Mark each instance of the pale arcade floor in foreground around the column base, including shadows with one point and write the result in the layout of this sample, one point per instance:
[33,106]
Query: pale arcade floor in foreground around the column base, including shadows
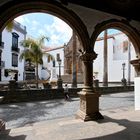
[119,124]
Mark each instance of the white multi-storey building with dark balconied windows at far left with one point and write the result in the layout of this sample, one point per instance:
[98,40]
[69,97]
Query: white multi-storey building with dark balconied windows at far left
[11,66]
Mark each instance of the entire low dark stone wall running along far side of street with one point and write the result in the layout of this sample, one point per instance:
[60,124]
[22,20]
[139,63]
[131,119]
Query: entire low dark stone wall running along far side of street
[20,95]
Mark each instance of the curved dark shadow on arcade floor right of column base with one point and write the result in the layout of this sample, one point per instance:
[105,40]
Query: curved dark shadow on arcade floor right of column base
[131,131]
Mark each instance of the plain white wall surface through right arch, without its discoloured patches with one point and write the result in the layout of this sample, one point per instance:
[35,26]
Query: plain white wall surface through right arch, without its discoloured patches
[115,71]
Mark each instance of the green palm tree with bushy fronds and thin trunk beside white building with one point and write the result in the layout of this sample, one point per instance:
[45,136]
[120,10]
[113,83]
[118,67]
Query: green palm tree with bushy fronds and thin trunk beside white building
[34,52]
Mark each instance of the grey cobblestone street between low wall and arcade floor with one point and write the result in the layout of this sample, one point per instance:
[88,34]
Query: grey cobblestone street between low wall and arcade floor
[23,114]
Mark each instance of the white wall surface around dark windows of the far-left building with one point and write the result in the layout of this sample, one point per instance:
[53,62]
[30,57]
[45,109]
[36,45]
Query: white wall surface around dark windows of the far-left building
[7,54]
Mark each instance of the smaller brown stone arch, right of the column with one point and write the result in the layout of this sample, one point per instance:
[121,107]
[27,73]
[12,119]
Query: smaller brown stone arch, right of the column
[122,25]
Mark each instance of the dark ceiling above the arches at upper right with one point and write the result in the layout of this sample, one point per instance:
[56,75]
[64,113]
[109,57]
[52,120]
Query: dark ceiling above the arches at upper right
[125,8]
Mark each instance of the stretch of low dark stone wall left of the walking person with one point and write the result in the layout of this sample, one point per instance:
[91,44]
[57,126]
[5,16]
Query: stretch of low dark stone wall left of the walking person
[31,95]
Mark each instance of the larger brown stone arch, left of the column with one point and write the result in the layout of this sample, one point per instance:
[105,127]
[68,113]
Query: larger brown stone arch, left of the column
[11,10]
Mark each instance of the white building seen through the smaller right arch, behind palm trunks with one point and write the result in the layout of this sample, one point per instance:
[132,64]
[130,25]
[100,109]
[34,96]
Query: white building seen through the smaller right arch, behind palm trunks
[120,50]
